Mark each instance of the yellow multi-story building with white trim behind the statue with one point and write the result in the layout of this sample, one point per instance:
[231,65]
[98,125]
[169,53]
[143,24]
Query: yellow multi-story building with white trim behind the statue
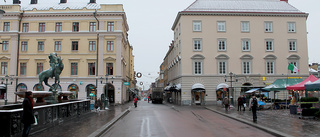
[91,39]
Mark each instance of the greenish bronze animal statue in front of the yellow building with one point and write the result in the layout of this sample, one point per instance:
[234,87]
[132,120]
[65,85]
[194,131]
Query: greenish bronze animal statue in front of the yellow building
[56,66]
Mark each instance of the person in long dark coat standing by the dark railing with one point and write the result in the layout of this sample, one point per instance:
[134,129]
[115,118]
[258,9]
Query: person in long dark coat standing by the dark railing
[27,114]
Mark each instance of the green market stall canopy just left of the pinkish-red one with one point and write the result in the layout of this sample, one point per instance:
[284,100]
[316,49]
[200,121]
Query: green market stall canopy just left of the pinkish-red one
[281,84]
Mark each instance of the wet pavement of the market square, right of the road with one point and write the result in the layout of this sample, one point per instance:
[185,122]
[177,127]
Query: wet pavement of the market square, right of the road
[280,120]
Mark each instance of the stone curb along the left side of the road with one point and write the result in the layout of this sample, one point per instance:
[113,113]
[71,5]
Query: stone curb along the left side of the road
[105,127]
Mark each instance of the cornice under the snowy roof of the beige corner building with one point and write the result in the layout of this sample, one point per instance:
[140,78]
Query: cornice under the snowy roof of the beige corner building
[222,13]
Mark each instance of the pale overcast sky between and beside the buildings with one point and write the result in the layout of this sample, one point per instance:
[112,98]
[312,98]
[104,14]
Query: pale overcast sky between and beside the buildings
[150,33]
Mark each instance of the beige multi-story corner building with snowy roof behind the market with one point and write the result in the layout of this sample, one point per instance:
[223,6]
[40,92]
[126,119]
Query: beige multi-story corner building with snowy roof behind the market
[248,42]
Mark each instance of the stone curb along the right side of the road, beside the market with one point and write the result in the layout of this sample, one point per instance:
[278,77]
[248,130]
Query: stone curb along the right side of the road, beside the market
[263,128]
